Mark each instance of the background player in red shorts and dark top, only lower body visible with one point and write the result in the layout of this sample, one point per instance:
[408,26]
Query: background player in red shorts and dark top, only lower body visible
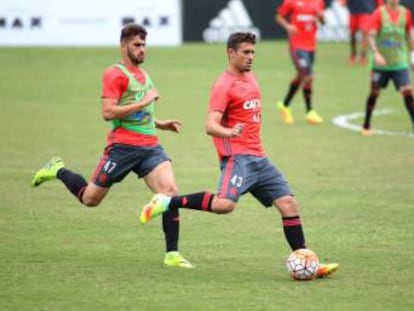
[359,22]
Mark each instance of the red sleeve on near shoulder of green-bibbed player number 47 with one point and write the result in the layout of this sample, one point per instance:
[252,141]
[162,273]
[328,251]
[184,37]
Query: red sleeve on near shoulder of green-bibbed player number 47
[114,83]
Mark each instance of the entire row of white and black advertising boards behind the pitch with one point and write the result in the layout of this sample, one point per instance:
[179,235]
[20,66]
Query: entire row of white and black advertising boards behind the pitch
[170,22]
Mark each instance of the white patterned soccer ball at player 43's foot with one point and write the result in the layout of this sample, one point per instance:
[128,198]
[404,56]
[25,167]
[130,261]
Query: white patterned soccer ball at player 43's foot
[303,264]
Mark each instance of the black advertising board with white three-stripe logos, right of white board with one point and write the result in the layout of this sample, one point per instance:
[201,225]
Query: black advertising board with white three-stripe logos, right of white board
[212,21]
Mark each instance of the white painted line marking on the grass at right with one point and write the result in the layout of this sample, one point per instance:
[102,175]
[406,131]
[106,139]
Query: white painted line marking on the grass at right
[343,121]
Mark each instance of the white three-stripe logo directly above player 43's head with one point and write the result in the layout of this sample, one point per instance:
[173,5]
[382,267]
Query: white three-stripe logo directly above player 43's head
[234,17]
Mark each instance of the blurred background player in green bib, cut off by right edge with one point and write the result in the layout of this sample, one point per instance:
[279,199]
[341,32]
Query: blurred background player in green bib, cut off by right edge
[391,41]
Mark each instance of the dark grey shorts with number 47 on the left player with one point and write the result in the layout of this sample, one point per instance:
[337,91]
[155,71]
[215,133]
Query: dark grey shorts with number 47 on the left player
[119,160]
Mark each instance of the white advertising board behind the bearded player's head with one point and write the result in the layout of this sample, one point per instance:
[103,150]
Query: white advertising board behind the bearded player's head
[87,22]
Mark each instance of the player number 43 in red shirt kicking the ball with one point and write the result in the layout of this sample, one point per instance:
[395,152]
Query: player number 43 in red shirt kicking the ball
[234,122]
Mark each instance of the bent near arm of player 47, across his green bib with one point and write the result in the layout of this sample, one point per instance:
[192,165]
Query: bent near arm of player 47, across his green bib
[111,110]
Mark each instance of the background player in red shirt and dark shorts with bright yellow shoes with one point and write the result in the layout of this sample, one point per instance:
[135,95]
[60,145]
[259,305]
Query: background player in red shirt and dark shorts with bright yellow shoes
[299,18]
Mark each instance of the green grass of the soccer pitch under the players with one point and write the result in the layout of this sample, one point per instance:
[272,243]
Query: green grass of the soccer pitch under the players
[356,193]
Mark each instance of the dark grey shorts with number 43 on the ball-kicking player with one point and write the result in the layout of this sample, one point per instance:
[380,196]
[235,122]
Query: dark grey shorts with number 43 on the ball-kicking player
[244,173]
